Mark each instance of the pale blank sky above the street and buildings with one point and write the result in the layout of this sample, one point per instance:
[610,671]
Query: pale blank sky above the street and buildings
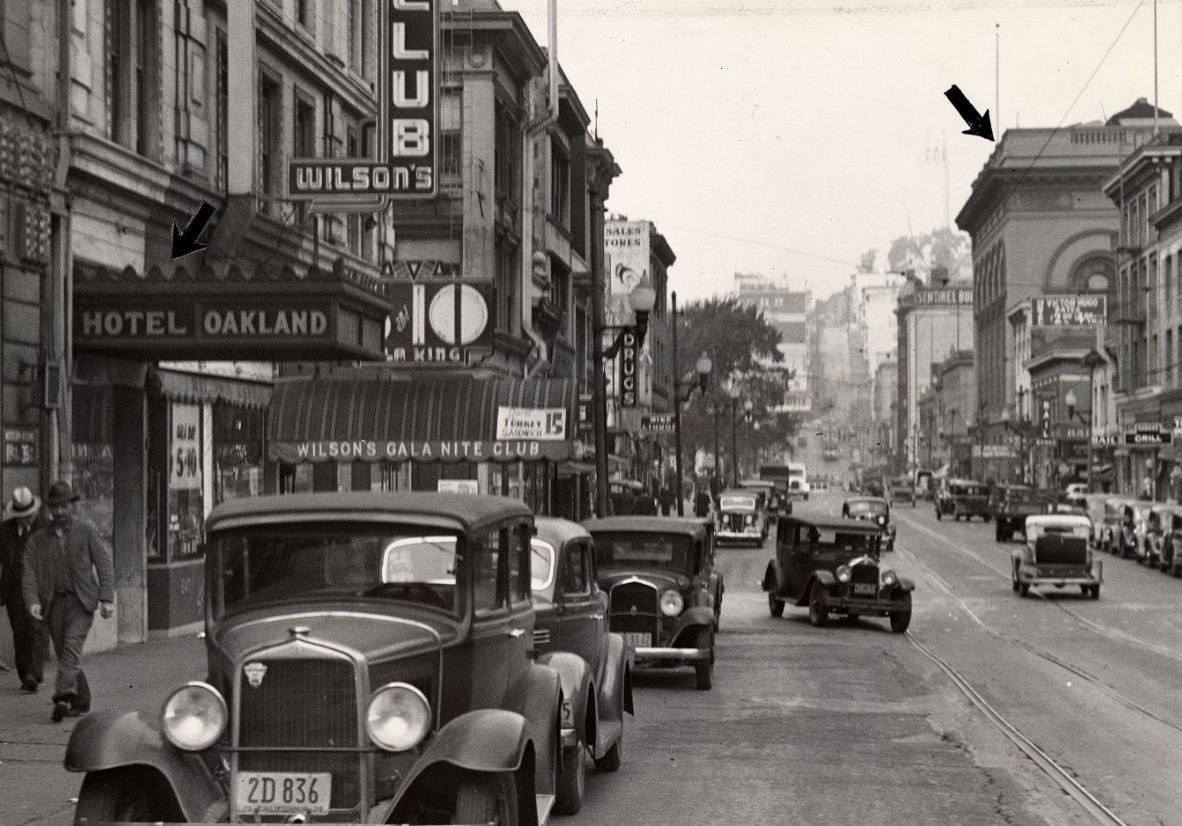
[787,138]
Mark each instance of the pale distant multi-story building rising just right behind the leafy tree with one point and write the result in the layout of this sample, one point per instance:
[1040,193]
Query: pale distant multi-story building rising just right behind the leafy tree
[787,310]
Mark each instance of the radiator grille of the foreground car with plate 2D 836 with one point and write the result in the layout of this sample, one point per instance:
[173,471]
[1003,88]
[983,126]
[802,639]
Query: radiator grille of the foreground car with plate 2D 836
[303,707]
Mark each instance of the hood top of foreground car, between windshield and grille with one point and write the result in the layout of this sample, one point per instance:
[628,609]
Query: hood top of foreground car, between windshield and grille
[373,635]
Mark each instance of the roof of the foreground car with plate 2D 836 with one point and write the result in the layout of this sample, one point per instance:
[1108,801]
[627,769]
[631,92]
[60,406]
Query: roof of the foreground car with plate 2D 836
[465,512]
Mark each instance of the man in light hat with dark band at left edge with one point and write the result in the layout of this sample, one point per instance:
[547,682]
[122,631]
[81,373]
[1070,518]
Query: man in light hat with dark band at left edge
[28,636]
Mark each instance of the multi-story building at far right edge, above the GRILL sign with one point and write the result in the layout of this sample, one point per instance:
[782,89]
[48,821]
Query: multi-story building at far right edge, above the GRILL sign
[1147,190]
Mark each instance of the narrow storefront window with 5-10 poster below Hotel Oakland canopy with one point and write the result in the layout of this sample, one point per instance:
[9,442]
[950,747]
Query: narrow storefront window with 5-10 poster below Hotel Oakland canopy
[186,504]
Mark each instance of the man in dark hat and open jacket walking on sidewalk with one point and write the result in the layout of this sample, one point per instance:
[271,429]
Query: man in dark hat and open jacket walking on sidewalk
[62,589]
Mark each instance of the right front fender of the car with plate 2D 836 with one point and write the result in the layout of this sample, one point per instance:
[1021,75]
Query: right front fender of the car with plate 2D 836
[486,742]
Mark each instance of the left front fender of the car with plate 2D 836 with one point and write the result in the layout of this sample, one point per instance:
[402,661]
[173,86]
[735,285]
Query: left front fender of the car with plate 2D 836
[107,740]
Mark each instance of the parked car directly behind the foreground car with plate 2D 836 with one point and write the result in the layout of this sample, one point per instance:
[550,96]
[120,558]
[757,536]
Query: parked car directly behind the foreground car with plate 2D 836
[571,616]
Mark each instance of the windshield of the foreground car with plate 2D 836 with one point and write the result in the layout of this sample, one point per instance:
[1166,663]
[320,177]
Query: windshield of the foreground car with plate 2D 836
[284,564]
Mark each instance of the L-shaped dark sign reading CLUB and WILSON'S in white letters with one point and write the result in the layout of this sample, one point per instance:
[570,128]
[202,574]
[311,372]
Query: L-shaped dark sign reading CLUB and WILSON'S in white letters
[408,87]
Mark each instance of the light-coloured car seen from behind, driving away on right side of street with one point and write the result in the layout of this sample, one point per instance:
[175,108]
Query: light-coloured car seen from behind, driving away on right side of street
[1057,554]
